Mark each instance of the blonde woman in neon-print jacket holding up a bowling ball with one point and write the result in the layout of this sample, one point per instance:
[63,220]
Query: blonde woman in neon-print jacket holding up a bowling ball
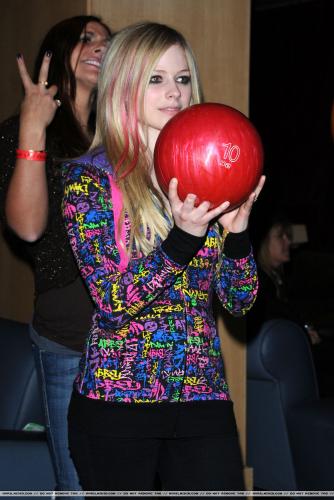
[150,402]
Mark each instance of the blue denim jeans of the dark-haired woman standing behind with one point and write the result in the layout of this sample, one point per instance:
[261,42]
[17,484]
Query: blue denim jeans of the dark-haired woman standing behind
[57,372]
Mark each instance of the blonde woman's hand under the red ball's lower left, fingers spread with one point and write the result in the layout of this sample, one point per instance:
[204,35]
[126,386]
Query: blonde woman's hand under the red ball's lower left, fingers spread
[191,219]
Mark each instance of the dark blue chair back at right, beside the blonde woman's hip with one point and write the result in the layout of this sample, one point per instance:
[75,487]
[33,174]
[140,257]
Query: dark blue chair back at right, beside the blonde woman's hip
[280,374]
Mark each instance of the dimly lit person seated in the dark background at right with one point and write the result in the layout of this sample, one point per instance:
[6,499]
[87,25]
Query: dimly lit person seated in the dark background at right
[274,239]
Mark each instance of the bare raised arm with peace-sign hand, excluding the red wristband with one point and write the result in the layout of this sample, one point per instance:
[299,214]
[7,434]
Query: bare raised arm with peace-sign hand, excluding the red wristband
[27,197]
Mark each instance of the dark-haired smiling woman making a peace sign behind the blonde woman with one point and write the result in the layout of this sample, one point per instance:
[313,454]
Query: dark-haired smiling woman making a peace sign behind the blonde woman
[56,122]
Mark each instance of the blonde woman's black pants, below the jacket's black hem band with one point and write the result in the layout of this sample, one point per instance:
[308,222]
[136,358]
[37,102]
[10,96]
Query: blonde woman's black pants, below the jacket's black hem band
[177,464]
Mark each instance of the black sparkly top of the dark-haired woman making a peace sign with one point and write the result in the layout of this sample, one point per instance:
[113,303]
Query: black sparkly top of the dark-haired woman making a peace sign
[63,308]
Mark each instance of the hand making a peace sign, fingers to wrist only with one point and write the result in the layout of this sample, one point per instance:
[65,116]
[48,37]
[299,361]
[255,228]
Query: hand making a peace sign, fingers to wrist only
[39,106]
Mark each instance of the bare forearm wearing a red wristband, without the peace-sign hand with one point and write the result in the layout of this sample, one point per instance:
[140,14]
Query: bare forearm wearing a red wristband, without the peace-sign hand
[27,196]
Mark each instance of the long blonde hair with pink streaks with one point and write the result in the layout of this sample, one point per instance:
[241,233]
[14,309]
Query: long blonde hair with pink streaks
[125,75]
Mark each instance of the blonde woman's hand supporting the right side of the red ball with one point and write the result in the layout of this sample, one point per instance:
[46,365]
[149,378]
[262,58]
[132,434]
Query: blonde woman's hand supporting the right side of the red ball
[236,221]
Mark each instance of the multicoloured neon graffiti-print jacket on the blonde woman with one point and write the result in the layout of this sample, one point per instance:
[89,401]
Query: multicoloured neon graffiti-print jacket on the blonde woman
[153,335]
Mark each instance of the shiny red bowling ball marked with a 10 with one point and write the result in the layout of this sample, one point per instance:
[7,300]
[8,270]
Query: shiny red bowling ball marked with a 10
[213,150]
